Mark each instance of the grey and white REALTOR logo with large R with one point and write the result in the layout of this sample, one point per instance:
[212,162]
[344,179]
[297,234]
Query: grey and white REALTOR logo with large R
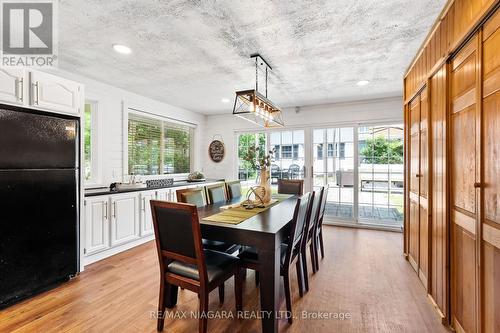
[28,33]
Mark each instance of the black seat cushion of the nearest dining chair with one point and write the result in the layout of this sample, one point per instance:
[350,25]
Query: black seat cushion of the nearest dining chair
[218,264]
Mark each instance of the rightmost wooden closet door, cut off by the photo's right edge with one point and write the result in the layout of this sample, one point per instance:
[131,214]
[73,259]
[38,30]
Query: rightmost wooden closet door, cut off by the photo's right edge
[491,177]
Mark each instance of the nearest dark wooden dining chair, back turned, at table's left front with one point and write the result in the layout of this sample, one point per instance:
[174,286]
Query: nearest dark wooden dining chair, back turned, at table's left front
[185,263]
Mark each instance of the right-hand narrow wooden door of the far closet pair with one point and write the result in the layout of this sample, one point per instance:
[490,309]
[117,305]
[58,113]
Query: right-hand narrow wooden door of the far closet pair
[423,178]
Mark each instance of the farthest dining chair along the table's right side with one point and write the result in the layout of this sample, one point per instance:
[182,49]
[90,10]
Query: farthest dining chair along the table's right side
[309,234]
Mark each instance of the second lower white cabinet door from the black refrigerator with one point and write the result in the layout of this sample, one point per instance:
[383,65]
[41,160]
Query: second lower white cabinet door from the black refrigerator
[125,219]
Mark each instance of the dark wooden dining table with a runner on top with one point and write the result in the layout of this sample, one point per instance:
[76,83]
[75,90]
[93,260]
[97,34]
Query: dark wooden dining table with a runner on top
[265,232]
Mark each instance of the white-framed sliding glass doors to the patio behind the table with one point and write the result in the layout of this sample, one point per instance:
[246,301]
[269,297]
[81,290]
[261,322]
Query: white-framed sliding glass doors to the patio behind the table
[361,164]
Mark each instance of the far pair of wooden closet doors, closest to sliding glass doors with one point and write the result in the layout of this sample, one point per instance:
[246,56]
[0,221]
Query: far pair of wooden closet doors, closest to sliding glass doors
[418,187]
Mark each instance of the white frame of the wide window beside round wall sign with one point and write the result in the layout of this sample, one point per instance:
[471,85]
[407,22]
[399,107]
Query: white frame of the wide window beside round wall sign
[127,109]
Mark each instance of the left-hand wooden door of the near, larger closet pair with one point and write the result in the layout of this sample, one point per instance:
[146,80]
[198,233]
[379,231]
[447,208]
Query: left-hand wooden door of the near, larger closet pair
[463,199]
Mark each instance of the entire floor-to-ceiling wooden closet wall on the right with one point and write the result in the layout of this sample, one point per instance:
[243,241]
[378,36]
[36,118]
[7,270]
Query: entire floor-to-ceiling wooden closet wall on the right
[455,202]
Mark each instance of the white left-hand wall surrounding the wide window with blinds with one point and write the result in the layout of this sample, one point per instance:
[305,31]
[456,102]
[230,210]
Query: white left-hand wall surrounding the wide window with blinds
[110,123]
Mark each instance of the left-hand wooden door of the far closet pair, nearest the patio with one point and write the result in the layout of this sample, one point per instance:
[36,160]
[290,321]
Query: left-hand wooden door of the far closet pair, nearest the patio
[413,218]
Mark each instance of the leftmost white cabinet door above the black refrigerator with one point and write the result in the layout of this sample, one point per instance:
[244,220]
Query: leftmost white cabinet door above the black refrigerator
[12,85]
